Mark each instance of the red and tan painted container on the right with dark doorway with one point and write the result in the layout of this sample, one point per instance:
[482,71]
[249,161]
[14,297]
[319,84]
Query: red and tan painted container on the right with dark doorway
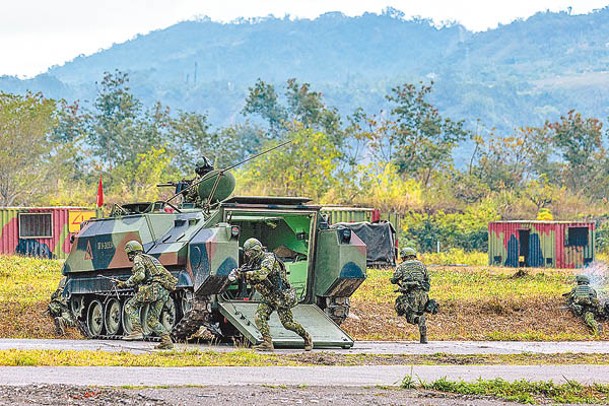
[551,244]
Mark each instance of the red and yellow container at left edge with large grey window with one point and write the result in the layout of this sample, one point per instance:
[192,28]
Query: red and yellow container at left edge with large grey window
[41,231]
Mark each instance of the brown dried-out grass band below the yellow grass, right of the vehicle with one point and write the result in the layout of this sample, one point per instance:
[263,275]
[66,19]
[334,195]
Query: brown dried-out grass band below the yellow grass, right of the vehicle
[492,319]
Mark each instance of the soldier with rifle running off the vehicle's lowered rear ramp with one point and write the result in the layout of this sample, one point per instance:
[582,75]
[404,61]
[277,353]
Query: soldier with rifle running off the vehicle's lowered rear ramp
[267,274]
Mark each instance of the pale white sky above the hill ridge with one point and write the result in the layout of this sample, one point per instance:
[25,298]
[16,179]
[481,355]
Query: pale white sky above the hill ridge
[36,34]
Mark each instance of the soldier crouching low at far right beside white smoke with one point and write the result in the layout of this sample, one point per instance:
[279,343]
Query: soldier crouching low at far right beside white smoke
[583,302]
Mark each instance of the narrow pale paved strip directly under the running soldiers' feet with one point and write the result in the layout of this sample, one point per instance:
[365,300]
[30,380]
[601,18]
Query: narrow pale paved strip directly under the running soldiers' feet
[360,347]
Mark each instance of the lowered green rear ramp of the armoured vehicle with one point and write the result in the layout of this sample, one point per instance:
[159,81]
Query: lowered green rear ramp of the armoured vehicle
[324,331]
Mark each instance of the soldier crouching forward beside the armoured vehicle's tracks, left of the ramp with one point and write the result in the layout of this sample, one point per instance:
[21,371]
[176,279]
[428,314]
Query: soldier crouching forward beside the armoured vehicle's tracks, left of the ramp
[154,283]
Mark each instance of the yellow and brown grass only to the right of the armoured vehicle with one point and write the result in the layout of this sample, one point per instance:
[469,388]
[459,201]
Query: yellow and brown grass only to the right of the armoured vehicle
[476,303]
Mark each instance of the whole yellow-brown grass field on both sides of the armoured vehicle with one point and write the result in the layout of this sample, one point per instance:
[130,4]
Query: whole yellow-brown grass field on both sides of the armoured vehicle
[476,303]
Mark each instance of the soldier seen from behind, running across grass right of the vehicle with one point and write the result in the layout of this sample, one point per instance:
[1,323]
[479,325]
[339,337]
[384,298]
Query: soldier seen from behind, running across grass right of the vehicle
[413,282]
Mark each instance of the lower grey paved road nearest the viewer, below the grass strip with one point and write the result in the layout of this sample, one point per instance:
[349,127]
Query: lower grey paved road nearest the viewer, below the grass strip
[311,376]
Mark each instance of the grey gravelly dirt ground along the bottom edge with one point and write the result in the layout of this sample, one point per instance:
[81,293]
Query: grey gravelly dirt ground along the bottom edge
[218,395]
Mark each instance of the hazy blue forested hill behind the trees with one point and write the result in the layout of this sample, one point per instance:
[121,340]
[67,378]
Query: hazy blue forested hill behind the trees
[518,74]
